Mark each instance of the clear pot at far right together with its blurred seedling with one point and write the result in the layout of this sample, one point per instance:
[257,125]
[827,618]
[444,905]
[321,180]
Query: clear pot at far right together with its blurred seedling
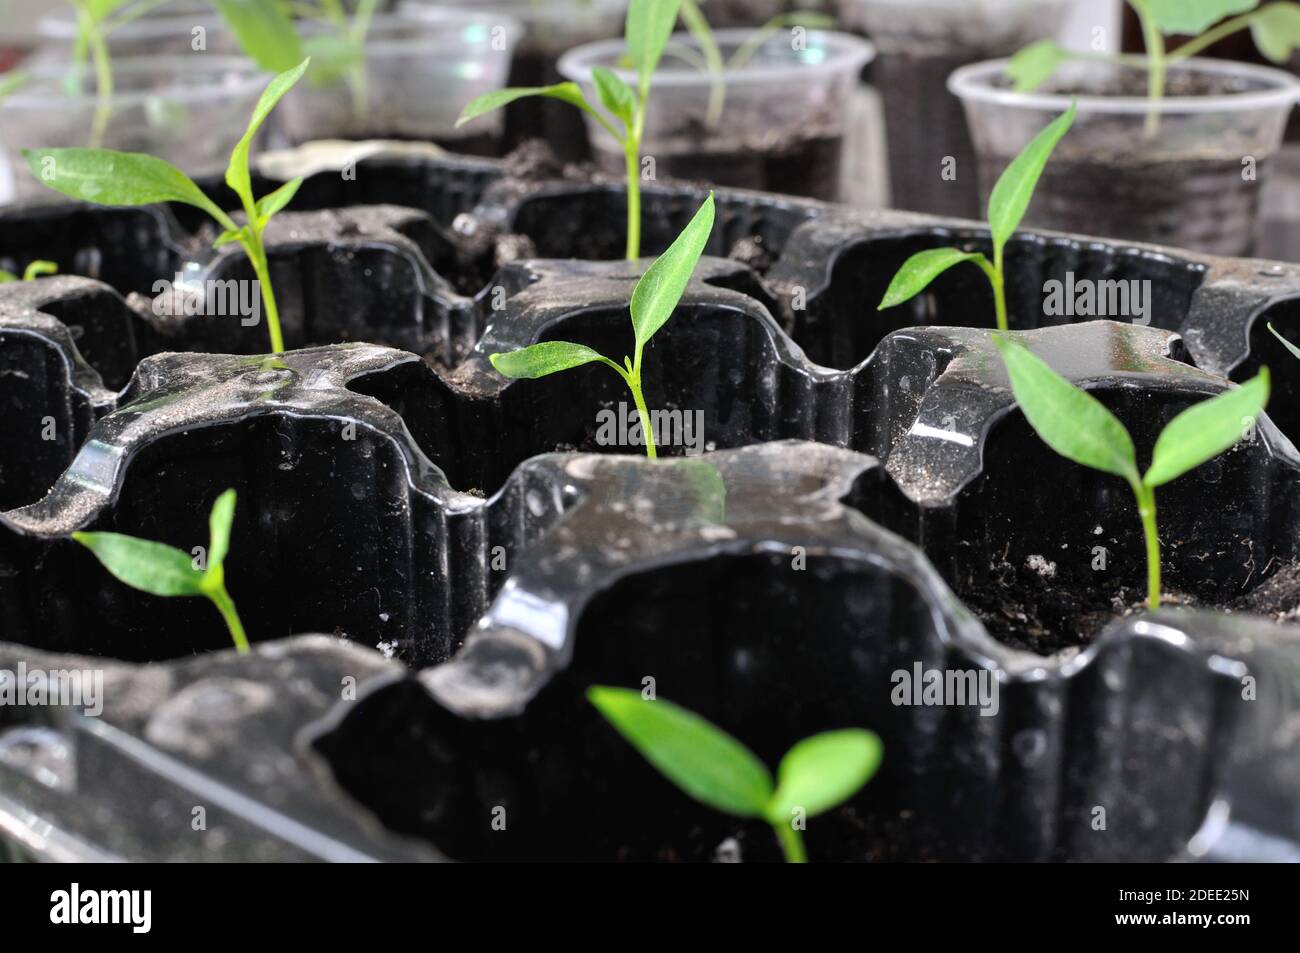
[1169,148]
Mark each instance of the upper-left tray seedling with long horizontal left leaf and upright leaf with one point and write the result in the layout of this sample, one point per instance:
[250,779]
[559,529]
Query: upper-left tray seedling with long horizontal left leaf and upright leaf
[107,177]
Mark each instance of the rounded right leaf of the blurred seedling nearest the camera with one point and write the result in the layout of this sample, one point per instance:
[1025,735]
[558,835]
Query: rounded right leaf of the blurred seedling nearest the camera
[824,772]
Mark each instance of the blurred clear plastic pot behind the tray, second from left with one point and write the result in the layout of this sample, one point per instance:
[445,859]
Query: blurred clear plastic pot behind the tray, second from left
[418,75]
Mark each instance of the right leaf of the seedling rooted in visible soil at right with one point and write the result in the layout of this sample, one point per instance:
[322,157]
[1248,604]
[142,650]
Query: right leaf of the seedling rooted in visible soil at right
[1207,430]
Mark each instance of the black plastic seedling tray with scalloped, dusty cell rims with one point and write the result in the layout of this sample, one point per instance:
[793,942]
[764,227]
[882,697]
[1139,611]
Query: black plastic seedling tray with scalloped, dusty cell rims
[474,565]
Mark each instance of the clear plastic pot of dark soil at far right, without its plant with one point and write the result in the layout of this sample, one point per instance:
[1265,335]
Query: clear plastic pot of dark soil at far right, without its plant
[1186,172]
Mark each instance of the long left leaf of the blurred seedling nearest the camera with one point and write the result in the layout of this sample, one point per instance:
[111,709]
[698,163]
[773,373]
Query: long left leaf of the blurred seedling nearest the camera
[704,761]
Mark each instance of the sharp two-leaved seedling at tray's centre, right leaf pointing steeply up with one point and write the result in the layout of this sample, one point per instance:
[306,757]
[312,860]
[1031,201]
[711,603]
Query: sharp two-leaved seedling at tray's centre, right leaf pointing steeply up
[653,302]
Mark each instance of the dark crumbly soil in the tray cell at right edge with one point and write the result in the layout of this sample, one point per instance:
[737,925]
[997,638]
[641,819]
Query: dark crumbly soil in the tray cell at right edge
[1029,609]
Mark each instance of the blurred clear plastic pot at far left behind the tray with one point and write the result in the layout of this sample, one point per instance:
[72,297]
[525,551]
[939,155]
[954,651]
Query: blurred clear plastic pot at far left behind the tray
[189,110]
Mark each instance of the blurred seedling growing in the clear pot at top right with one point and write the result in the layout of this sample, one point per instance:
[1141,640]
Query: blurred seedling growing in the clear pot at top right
[1275,27]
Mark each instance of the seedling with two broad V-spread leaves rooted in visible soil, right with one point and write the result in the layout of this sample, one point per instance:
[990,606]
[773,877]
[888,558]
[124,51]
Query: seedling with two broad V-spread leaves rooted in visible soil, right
[1080,428]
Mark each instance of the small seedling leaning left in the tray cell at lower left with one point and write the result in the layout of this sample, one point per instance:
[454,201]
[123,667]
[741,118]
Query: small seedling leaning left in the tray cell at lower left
[161,570]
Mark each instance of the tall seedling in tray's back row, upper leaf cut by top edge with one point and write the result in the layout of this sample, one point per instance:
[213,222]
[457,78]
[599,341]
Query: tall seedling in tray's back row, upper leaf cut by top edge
[649,25]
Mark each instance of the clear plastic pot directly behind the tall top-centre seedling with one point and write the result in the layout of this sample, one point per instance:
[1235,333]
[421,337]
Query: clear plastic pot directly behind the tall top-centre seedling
[777,124]
